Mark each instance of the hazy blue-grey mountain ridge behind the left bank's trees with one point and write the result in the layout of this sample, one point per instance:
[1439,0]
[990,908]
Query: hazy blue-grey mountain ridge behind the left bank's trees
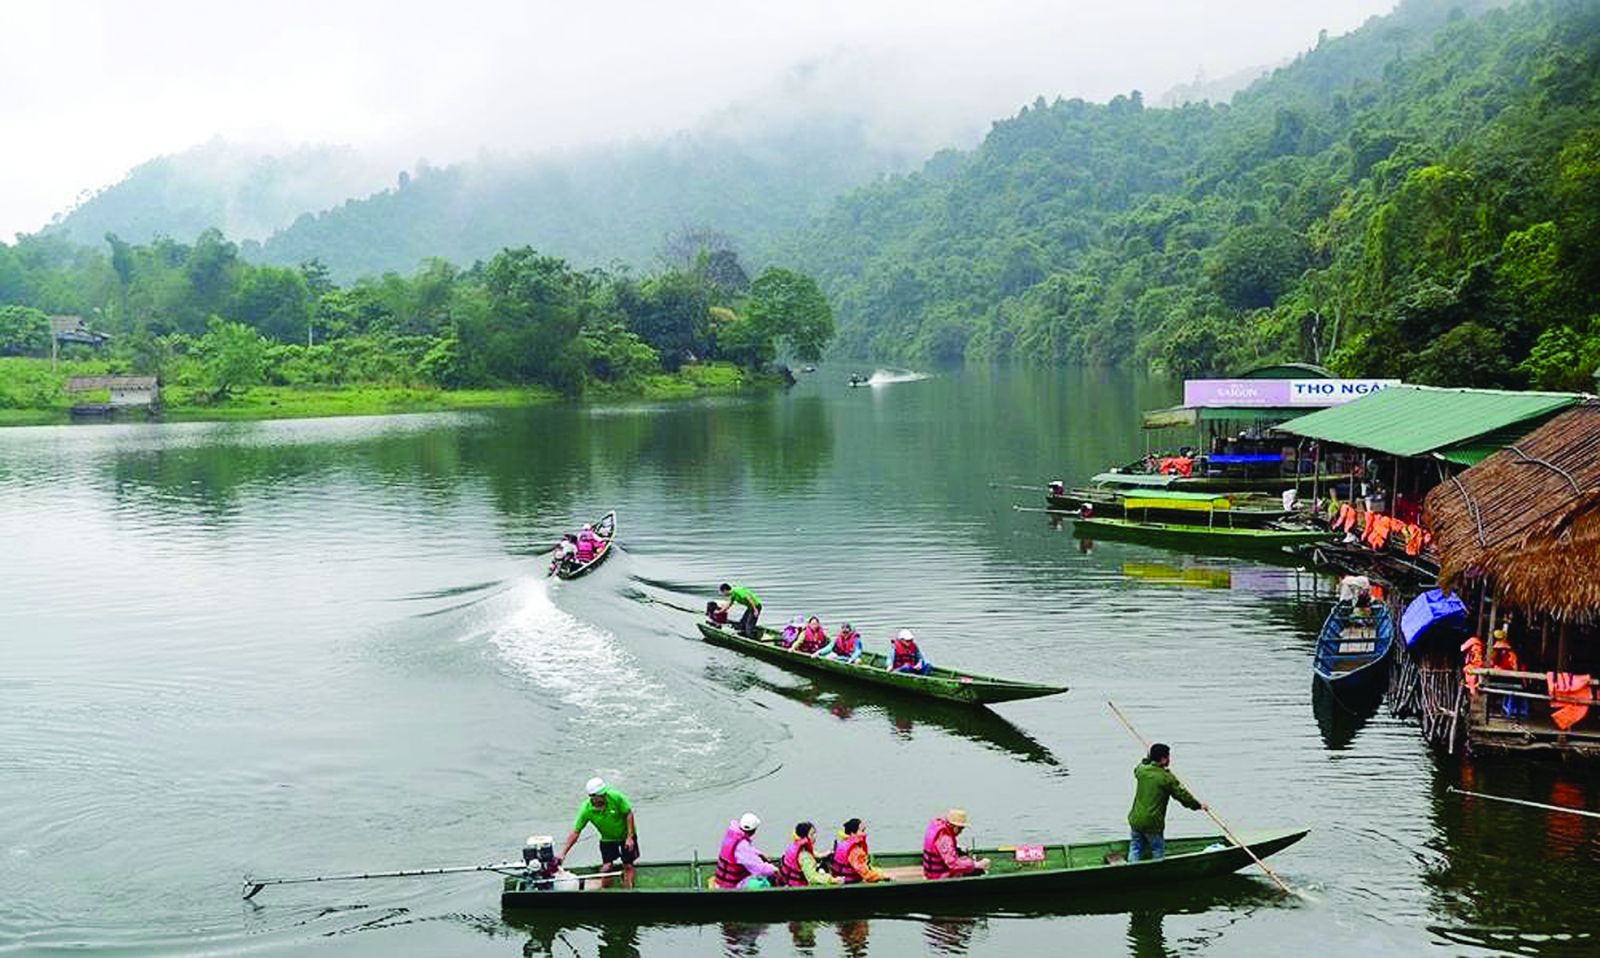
[599,206]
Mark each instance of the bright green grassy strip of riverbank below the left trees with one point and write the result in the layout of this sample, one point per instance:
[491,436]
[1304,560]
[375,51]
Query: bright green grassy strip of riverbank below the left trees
[33,394]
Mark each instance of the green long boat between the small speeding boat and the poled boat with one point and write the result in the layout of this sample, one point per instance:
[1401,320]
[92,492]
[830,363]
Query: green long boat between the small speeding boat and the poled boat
[942,684]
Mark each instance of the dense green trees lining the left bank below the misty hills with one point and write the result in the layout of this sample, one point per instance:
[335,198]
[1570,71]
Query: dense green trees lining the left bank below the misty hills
[199,314]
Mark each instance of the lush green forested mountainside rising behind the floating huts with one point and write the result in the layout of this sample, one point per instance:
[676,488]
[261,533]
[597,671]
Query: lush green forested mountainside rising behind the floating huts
[1417,199]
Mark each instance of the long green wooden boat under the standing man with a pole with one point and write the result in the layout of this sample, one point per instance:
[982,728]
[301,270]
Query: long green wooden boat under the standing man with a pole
[1066,872]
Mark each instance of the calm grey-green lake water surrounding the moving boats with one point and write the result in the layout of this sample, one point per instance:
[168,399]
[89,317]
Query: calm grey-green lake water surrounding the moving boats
[318,647]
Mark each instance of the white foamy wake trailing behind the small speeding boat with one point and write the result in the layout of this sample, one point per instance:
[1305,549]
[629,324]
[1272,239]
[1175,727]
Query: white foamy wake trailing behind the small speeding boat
[585,668]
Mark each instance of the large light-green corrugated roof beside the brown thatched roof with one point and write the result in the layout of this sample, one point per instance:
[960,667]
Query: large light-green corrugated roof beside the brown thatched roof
[1422,420]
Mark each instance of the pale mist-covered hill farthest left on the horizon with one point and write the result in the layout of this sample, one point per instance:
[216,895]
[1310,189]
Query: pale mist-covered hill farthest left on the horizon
[246,193]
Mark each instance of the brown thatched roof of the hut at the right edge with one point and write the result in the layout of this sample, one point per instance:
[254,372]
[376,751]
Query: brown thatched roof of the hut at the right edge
[1529,519]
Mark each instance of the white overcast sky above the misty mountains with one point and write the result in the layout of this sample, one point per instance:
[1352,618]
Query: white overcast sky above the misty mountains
[92,89]
